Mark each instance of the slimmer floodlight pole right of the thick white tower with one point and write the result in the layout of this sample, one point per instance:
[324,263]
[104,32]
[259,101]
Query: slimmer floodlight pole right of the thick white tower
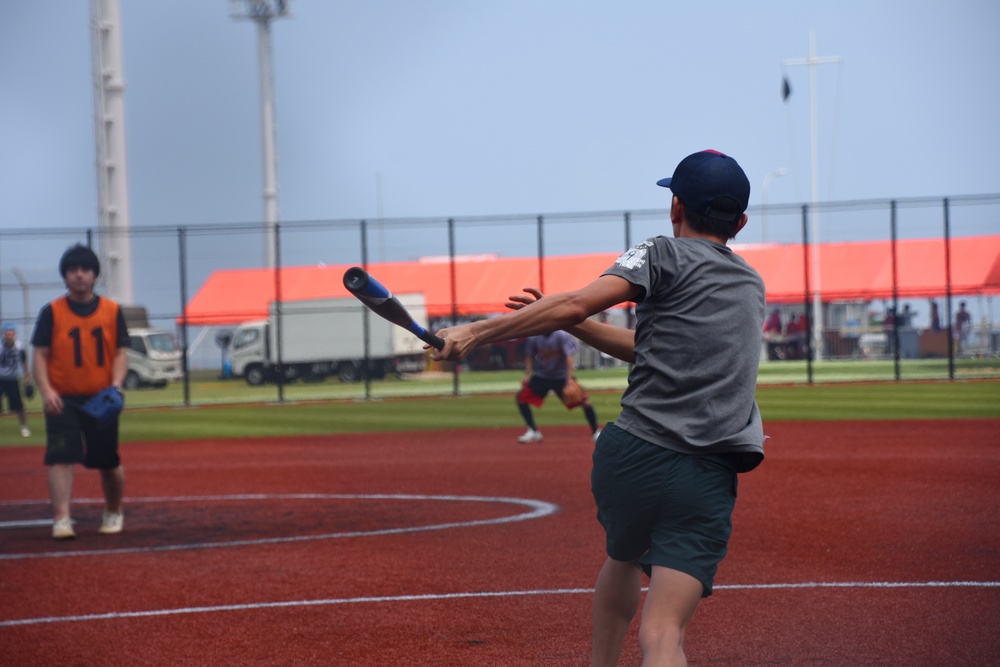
[262,12]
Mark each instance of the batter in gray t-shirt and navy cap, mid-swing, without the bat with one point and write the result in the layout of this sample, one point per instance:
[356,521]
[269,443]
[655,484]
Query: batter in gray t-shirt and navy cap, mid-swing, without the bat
[665,473]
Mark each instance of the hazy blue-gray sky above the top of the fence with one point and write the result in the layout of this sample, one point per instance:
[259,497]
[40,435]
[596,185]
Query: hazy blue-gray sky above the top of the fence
[467,107]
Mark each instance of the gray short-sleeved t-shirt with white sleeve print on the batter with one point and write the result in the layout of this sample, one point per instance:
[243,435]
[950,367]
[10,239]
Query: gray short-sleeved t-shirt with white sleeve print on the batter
[699,321]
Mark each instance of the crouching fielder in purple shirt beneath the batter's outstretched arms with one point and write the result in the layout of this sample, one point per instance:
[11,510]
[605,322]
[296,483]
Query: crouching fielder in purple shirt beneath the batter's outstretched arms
[548,367]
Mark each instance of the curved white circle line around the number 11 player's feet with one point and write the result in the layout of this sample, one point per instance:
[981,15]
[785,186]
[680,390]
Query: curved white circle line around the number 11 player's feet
[536,510]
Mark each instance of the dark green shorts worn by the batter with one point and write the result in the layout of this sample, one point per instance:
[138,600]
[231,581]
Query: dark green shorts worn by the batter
[660,507]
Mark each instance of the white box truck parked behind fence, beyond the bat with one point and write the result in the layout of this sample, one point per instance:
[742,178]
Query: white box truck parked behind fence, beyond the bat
[326,337]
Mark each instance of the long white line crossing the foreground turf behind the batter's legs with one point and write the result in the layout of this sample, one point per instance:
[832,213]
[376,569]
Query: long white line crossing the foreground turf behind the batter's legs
[460,596]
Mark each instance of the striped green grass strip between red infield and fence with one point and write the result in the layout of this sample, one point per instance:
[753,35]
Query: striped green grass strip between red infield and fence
[488,403]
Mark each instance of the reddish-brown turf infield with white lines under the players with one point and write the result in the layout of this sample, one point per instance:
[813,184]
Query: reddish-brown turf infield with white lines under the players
[855,543]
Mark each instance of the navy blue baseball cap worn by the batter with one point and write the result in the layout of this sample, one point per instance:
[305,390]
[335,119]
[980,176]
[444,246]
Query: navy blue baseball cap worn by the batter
[703,180]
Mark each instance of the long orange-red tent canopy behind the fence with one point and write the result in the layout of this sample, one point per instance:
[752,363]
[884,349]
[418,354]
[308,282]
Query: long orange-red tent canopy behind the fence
[848,271]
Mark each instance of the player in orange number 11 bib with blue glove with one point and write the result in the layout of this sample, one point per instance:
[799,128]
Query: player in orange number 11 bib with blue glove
[79,349]
